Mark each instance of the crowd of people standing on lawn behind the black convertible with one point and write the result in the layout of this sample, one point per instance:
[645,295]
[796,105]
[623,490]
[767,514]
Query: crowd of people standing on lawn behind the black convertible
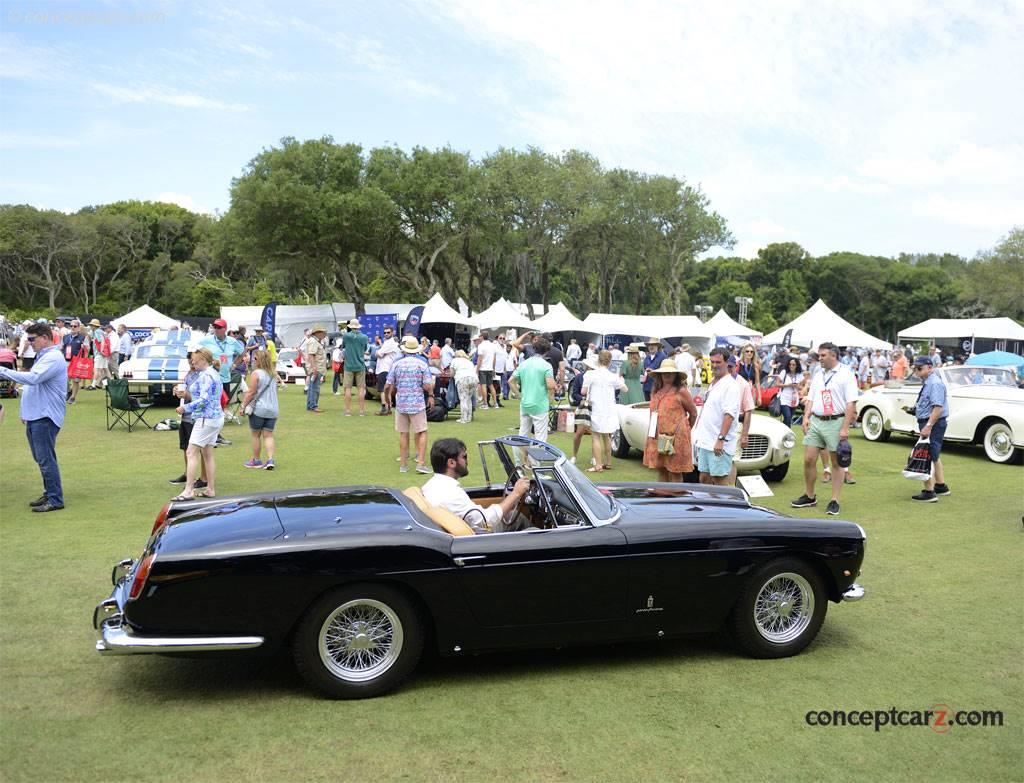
[701,407]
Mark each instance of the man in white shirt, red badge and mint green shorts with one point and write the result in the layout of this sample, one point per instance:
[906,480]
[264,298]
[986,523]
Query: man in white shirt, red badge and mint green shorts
[830,410]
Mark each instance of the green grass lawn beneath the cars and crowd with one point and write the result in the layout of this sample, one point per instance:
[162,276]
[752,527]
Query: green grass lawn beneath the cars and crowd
[944,623]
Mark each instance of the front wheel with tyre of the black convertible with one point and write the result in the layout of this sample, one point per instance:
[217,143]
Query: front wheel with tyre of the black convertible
[780,611]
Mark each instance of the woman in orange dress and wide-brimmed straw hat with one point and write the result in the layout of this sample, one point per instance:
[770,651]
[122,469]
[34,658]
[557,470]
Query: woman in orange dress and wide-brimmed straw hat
[676,415]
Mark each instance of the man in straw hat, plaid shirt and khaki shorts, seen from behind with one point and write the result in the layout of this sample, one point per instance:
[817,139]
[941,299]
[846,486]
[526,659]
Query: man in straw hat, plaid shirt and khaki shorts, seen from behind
[409,380]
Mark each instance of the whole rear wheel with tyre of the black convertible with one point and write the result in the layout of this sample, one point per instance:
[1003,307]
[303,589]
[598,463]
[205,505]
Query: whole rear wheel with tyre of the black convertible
[359,642]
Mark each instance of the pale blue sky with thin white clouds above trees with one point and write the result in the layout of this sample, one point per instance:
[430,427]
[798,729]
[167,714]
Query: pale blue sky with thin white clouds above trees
[875,127]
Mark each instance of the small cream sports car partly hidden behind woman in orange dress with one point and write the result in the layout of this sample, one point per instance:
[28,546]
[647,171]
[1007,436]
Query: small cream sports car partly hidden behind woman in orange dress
[769,448]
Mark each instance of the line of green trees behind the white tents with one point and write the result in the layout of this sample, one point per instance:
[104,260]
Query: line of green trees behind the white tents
[316,221]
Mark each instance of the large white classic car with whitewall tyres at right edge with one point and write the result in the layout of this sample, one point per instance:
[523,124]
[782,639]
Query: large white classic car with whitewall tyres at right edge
[986,407]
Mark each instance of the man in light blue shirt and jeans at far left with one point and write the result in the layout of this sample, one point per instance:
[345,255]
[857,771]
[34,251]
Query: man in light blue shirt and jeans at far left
[44,411]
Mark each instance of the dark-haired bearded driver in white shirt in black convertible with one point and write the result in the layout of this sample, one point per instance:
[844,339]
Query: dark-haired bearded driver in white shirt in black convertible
[449,459]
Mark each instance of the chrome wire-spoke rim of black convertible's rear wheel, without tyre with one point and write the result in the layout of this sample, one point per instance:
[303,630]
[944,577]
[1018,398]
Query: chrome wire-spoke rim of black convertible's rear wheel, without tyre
[361,640]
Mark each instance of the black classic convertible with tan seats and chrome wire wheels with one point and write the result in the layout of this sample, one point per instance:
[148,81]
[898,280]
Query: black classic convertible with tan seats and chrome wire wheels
[356,580]
